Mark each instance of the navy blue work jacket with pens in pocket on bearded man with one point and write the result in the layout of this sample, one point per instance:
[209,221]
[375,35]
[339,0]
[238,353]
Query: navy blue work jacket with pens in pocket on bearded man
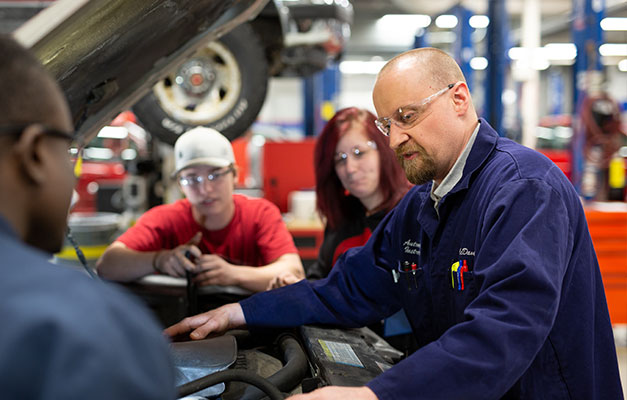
[502,288]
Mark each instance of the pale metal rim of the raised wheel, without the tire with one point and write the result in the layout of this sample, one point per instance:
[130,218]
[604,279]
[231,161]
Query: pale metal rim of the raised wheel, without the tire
[204,88]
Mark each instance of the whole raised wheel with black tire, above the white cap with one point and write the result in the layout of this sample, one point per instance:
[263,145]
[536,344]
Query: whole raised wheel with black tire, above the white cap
[222,86]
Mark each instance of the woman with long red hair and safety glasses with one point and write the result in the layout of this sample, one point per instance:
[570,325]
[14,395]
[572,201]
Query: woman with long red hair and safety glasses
[358,180]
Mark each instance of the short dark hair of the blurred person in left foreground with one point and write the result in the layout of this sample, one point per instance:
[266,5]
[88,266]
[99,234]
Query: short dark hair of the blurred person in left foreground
[28,94]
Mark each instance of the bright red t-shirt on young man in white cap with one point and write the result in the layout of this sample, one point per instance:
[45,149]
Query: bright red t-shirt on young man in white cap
[255,236]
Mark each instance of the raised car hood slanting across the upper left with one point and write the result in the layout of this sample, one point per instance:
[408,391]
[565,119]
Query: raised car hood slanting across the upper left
[106,54]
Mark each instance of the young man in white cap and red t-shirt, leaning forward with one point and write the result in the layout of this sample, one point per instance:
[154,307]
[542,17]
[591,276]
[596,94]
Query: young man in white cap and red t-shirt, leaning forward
[224,238]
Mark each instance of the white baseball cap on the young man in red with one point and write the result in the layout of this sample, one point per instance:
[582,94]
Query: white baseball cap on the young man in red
[202,146]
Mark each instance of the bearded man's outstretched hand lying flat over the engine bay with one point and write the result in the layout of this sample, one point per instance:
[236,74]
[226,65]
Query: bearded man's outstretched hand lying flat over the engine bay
[219,320]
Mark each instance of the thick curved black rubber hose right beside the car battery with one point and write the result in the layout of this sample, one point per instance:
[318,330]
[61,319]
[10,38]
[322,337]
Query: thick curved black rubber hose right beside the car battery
[292,372]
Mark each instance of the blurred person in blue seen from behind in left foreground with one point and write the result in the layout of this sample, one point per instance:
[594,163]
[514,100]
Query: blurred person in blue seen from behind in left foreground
[64,335]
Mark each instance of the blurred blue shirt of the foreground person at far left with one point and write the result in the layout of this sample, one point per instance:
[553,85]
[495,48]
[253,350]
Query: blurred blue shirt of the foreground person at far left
[66,336]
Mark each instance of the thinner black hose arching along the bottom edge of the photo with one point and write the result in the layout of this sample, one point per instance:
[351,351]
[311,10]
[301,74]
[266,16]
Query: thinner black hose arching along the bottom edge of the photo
[231,375]
